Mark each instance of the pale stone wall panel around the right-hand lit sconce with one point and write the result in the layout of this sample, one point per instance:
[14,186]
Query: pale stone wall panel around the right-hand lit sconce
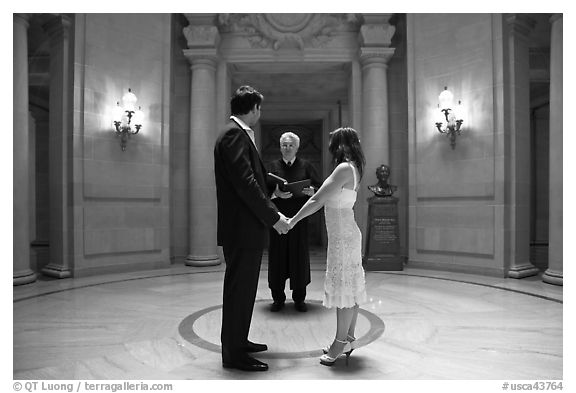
[456,195]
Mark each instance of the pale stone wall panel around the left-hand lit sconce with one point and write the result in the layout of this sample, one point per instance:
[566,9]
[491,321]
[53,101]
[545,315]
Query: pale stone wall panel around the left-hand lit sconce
[121,198]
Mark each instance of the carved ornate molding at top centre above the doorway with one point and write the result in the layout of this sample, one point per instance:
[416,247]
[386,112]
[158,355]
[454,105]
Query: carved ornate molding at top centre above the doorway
[287,30]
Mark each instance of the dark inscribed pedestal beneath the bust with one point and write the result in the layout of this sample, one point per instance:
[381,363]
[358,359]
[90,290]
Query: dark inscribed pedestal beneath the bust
[382,240]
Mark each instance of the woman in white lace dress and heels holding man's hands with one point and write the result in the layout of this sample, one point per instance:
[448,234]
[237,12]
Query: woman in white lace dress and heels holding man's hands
[344,284]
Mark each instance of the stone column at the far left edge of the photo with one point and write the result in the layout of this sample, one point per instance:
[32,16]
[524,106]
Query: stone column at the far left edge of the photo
[22,274]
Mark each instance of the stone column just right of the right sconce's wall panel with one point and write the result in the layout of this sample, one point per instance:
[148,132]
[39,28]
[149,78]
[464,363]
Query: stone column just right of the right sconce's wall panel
[518,154]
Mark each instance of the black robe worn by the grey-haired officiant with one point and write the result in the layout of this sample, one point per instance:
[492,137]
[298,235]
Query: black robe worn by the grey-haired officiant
[288,255]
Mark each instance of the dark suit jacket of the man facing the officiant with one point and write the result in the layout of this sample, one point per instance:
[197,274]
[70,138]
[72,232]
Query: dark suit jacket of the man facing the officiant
[245,213]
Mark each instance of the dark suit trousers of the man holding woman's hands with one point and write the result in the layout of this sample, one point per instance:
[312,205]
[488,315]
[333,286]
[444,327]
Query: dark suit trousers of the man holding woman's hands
[240,285]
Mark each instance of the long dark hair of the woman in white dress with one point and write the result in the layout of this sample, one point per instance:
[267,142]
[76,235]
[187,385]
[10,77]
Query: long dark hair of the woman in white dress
[345,147]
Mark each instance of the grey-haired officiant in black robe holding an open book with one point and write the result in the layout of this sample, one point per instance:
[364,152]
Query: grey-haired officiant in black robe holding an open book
[288,255]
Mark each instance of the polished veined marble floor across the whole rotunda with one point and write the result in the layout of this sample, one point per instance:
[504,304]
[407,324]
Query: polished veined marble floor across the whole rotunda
[165,324]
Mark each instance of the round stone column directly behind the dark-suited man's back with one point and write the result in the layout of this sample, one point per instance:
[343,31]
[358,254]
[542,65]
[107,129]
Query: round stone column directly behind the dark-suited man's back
[202,39]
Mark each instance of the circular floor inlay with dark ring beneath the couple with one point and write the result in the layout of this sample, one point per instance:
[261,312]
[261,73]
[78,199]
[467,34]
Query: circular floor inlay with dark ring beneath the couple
[288,328]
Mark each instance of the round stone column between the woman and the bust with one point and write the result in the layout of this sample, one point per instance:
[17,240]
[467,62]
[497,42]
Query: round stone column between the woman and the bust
[375,38]
